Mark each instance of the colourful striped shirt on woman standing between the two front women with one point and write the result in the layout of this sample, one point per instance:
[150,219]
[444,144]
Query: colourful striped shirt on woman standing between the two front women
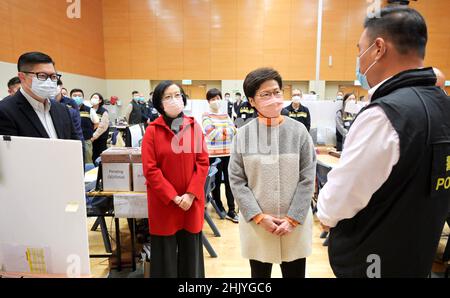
[219,132]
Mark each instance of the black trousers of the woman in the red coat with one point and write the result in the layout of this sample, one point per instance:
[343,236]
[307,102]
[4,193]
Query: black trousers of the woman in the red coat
[177,256]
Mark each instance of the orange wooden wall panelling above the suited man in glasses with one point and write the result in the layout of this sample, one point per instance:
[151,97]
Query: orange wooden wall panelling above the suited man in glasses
[76,45]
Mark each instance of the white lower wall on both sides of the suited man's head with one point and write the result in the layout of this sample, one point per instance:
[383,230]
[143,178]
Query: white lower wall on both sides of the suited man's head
[89,85]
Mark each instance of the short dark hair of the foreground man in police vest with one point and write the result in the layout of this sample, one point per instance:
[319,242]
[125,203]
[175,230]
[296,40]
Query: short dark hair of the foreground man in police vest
[405,27]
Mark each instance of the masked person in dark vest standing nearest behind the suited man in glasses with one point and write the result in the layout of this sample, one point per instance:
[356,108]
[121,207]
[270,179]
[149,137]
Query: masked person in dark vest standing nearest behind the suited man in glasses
[89,122]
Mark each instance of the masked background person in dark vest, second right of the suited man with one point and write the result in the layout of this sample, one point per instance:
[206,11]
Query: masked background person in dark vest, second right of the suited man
[100,137]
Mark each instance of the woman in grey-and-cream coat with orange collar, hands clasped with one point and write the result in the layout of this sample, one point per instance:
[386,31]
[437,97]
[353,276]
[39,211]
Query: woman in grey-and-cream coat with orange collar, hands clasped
[273,186]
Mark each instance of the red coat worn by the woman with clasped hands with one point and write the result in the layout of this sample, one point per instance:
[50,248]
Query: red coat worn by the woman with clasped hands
[171,170]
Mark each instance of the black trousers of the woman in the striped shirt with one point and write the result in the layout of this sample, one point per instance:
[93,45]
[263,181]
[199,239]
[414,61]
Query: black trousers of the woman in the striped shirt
[223,168]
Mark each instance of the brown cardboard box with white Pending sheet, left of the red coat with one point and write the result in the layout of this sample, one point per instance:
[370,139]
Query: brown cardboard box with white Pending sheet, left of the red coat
[116,169]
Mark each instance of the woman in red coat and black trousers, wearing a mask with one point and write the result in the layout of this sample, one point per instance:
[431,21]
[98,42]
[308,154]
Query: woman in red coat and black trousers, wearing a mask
[176,164]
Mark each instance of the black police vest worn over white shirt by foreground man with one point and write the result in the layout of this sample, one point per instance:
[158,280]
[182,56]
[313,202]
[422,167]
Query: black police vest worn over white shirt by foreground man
[403,221]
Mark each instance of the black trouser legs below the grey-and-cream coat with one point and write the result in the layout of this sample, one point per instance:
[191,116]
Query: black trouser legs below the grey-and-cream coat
[294,269]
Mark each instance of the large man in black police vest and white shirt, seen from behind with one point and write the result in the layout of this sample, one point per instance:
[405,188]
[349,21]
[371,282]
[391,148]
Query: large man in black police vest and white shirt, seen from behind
[387,200]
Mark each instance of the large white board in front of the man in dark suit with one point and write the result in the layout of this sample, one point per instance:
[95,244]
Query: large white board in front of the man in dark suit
[42,205]
